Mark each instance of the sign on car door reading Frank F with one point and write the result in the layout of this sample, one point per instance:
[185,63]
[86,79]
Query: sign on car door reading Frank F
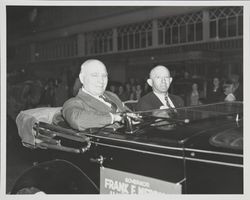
[119,182]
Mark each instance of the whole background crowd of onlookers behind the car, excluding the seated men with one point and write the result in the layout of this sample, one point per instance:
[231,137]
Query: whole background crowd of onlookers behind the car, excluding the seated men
[54,92]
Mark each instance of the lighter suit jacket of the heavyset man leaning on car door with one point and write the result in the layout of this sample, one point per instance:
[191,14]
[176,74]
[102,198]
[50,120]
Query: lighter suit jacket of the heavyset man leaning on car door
[84,111]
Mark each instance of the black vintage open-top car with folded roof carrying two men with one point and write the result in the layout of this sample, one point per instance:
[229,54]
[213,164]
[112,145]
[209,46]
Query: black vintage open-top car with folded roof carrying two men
[189,150]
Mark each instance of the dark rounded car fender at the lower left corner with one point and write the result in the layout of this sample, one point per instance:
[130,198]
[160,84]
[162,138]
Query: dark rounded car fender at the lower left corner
[54,177]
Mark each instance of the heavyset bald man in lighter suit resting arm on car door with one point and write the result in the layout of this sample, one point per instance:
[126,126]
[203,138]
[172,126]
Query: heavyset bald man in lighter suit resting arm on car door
[93,106]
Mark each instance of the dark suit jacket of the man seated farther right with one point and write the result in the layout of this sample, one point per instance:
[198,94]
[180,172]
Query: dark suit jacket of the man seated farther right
[150,101]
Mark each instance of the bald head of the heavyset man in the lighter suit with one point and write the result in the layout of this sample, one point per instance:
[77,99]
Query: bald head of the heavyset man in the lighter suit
[94,76]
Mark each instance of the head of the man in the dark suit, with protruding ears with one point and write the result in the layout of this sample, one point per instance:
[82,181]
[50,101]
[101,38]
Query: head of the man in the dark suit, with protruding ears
[159,79]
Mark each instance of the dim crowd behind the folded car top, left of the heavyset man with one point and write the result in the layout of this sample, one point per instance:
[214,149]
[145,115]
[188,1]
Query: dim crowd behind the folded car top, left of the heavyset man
[28,93]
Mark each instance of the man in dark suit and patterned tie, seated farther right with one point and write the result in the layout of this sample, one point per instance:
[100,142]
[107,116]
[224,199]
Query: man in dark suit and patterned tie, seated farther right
[159,98]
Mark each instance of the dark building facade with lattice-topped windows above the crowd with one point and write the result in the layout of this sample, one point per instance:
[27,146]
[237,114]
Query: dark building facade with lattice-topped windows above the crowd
[205,41]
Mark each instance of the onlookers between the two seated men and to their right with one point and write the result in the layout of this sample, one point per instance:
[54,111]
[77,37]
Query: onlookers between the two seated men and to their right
[217,90]
